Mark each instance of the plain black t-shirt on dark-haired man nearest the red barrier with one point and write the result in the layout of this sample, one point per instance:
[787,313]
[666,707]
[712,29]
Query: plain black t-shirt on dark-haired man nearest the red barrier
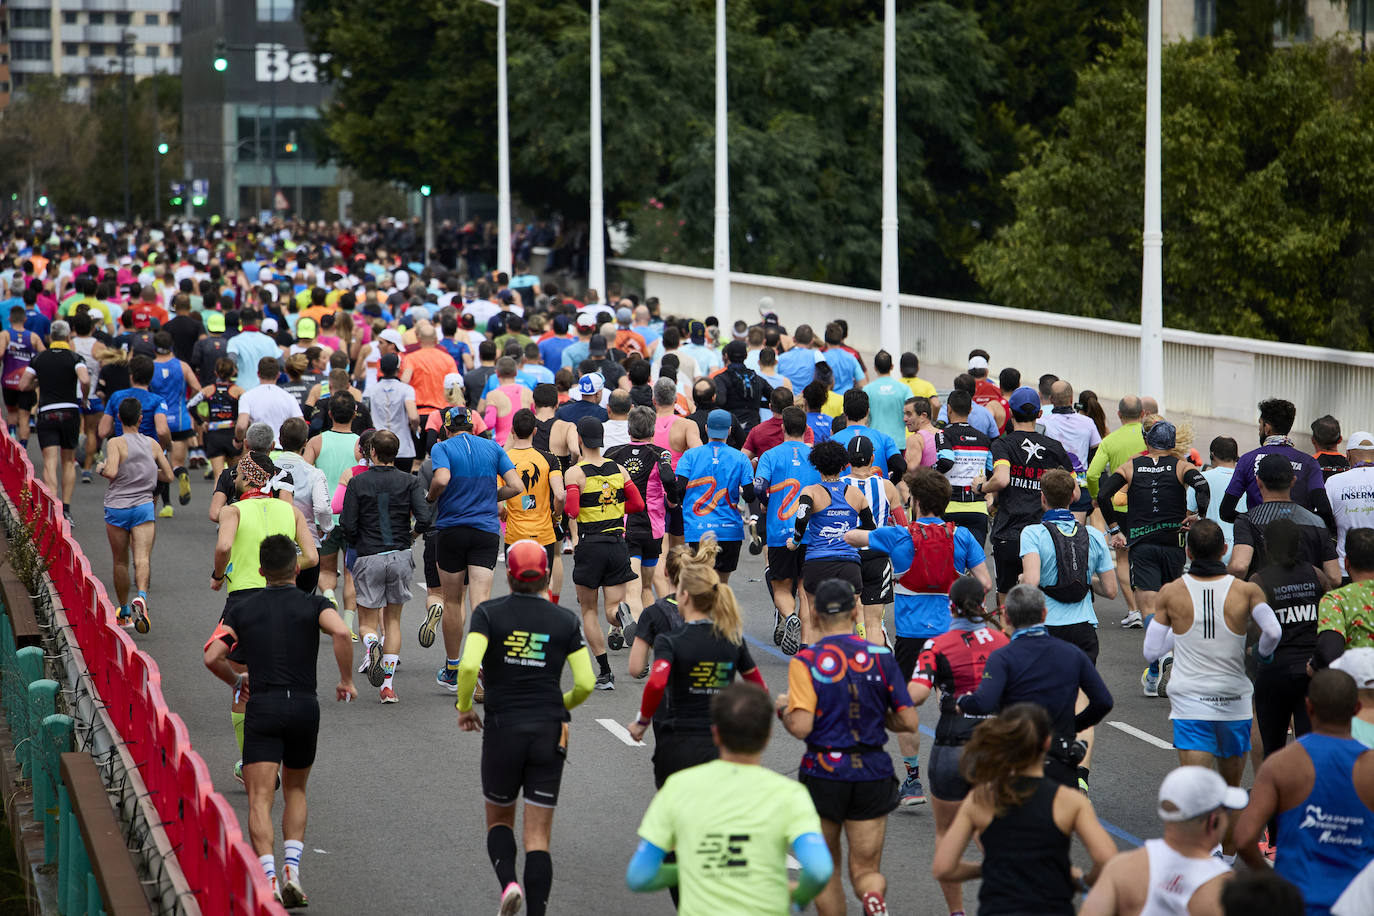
[278,638]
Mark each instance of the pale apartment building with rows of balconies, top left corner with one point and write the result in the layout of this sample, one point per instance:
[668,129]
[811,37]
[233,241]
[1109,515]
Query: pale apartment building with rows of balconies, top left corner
[85,41]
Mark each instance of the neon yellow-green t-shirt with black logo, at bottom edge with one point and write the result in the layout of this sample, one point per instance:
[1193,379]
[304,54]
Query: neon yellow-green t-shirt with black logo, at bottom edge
[732,826]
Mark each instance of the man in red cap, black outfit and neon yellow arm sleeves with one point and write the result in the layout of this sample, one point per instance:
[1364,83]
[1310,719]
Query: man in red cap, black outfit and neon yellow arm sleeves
[523,642]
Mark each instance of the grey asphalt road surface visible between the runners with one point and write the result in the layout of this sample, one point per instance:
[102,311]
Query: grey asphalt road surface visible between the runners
[396,808]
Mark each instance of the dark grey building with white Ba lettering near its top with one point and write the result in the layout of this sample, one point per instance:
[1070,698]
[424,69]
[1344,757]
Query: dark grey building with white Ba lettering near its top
[251,130]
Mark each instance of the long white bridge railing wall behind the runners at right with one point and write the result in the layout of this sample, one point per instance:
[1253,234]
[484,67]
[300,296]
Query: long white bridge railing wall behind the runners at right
[1206,376]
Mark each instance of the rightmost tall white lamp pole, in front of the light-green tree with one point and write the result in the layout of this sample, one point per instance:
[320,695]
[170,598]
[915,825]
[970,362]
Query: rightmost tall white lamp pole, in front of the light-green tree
[1152,285]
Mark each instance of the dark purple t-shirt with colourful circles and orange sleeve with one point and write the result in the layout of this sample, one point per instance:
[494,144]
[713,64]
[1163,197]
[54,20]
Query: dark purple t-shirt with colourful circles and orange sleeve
[850,686]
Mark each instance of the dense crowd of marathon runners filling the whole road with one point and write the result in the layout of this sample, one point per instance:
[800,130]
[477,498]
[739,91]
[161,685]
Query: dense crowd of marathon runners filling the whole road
[348,404]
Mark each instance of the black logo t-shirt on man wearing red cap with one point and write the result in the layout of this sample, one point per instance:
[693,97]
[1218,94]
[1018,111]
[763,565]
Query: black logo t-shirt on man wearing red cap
[528,642]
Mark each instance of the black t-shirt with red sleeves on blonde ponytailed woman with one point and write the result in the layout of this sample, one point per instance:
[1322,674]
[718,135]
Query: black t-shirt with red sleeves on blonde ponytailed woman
[704,665]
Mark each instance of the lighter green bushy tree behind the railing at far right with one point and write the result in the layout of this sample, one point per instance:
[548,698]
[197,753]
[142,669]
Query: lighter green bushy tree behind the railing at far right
[1266,197]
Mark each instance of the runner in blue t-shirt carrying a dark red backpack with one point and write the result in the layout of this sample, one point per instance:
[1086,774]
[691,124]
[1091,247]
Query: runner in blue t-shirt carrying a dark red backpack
[928,557]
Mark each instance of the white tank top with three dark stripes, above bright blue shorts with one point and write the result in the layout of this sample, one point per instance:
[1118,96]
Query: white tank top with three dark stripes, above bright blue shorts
[1210,680]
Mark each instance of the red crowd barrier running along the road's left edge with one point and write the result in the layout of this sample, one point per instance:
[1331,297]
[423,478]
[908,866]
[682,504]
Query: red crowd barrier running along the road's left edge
[203,829]
